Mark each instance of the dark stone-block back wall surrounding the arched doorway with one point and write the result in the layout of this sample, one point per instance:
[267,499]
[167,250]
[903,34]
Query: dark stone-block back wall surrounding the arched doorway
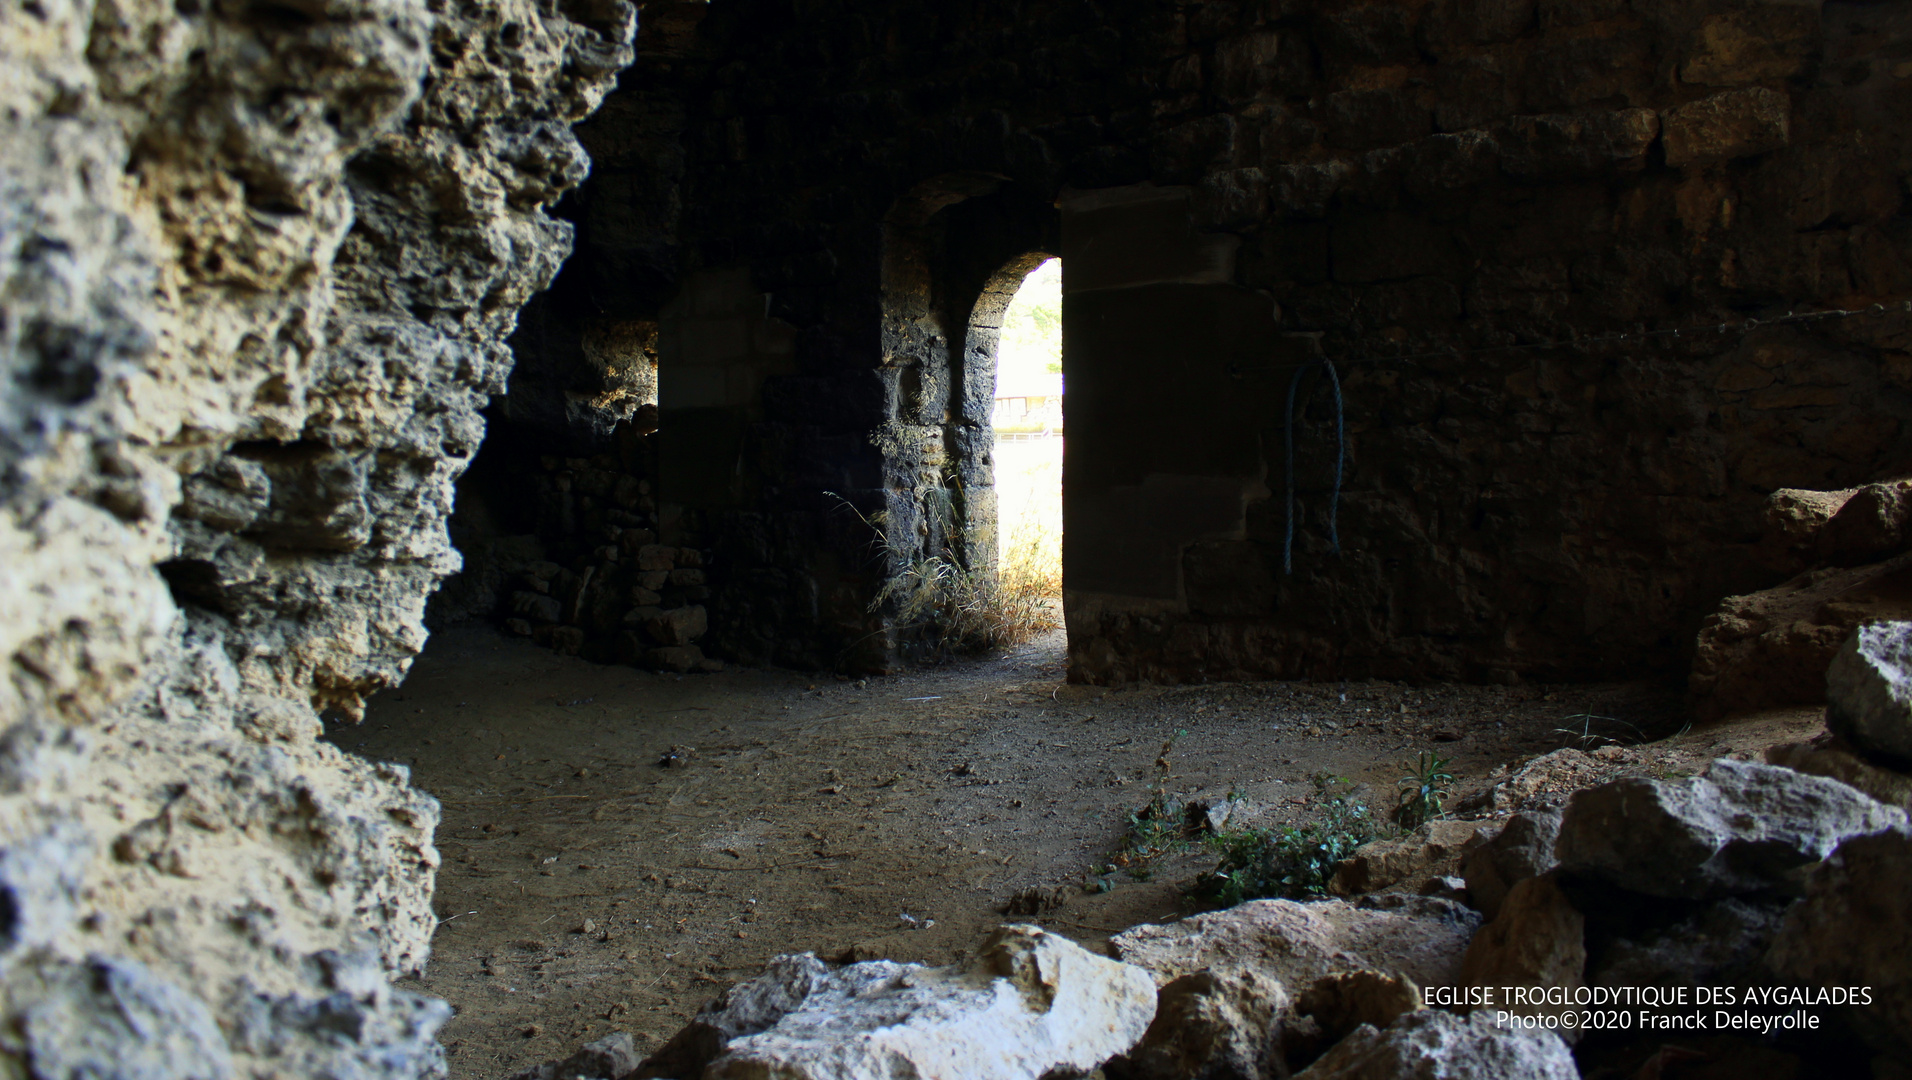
[1490,215]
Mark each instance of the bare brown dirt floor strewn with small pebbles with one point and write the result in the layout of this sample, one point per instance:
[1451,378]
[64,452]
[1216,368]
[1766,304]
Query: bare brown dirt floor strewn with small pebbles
[619,846]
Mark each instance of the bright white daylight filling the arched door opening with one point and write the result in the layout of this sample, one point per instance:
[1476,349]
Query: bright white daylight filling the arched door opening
[1030,433]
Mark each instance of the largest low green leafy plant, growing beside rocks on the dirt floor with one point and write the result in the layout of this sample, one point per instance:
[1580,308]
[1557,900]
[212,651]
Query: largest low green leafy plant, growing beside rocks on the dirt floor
[1290,861]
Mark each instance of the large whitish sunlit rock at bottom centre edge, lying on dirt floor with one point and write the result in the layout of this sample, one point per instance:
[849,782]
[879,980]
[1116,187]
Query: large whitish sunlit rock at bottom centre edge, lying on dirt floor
[1028,1006]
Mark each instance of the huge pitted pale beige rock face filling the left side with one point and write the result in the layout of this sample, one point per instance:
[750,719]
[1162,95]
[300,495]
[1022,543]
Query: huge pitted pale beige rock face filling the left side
[255,280]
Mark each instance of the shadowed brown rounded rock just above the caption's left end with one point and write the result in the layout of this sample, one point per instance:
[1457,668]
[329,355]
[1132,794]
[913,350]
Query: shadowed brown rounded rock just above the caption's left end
[1538,940]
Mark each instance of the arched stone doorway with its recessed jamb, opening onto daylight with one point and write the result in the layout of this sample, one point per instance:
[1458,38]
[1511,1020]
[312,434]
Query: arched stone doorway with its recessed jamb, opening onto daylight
[957,255]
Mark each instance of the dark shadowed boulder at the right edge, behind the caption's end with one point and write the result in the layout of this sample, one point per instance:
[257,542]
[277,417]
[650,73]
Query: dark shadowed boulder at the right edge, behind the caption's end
[1854,928]
